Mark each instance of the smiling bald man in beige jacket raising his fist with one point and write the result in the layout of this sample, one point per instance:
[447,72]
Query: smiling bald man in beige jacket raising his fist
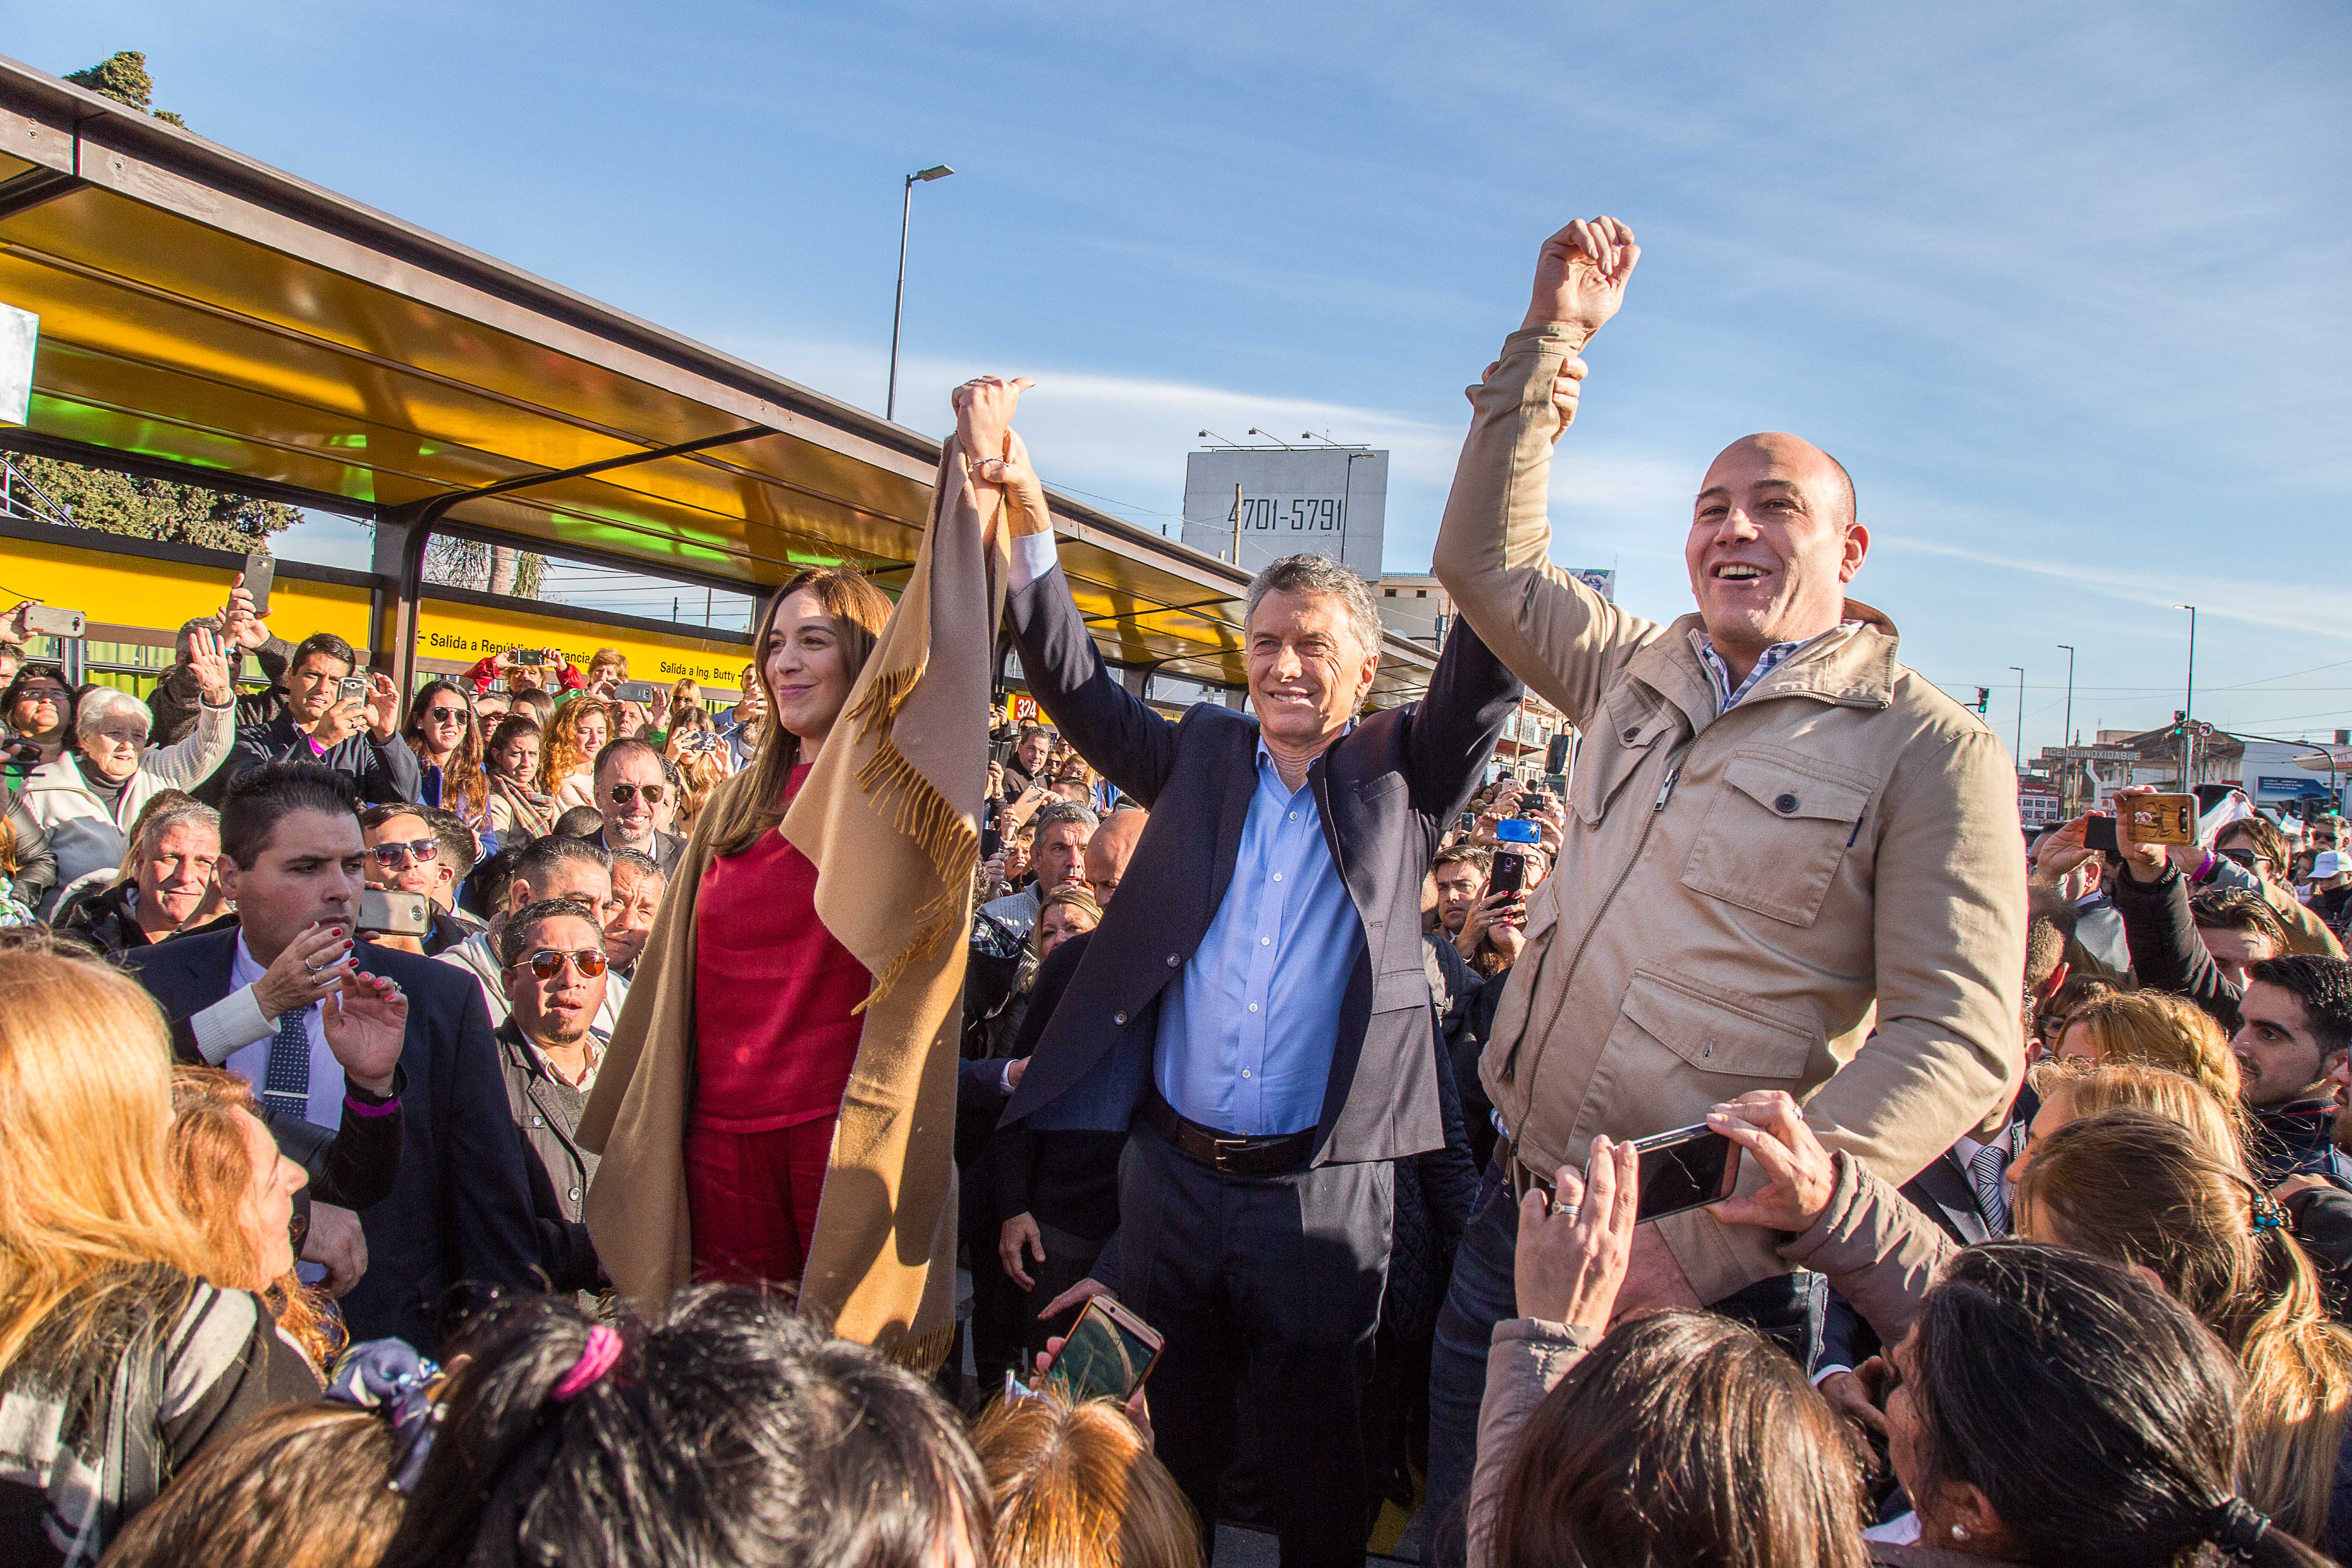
[1791,864]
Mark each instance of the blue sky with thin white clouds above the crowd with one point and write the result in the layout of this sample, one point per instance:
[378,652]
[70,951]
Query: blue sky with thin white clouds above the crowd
[2066,288]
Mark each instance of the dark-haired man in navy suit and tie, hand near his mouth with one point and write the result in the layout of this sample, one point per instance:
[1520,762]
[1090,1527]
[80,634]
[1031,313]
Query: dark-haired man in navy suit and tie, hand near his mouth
[460,1207]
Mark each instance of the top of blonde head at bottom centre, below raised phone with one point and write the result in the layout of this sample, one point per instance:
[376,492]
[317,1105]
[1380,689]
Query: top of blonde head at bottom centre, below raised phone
[1078,1487]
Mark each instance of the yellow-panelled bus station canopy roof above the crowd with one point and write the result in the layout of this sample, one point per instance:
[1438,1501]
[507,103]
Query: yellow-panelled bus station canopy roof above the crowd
[201,311]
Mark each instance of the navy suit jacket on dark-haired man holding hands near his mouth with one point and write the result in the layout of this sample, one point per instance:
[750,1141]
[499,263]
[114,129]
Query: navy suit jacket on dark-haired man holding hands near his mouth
[462,1207]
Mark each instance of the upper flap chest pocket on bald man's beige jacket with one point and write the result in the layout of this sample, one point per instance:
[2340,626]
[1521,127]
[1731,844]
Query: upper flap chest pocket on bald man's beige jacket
[1777,836]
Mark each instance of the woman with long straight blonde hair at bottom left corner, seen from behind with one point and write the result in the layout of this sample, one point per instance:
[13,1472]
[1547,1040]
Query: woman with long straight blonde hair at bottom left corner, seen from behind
[119,1360]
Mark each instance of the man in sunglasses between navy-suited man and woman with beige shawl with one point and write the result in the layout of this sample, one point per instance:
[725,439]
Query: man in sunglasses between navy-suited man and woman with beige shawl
[556,977]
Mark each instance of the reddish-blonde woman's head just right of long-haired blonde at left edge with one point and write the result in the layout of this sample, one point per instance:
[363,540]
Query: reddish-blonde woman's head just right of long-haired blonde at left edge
[239,1191]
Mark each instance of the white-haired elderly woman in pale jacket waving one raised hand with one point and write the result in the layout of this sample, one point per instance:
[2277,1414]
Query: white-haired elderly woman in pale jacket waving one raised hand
[91,796]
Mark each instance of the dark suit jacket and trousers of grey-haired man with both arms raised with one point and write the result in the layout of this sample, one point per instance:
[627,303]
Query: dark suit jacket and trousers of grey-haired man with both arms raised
[1264,1282]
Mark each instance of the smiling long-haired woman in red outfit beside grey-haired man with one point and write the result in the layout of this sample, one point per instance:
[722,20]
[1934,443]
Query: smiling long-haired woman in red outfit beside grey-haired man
[747,998]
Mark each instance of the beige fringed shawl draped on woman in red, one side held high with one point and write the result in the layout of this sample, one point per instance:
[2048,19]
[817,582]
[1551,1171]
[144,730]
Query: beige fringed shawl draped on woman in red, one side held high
[890,817]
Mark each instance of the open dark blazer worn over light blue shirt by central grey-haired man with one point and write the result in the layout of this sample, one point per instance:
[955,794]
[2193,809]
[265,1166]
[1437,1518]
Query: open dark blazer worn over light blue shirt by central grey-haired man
[1384,791]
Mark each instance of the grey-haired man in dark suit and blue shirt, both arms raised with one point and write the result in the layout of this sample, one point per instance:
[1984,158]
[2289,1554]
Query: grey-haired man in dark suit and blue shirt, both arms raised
[1255,1003]
